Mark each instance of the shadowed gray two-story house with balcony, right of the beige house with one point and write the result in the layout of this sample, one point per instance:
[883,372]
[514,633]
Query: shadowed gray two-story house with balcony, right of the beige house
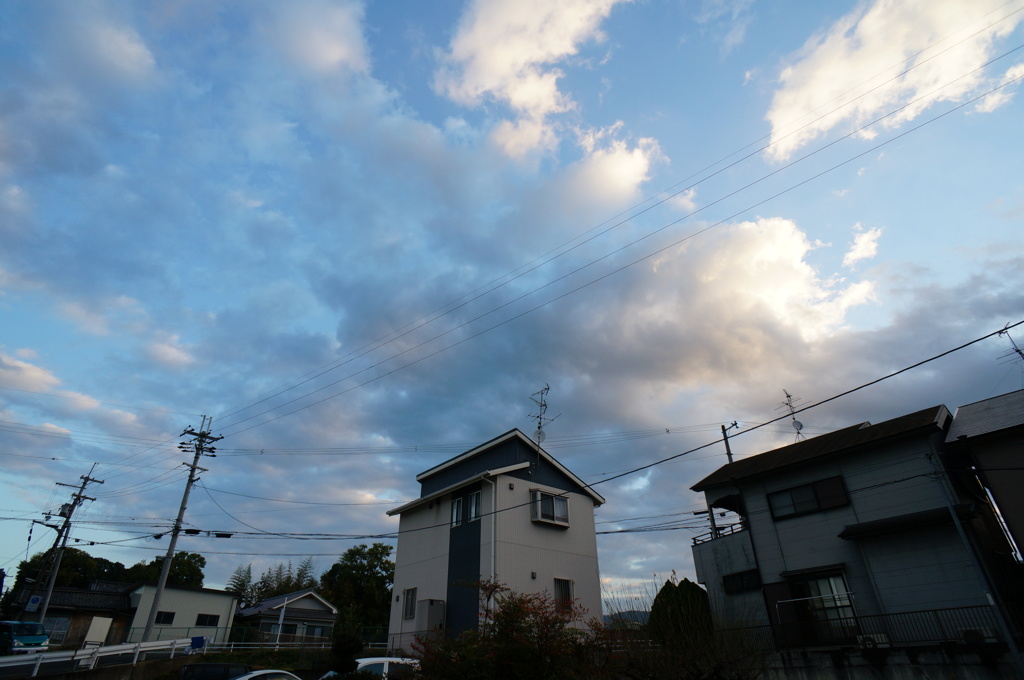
[858,538]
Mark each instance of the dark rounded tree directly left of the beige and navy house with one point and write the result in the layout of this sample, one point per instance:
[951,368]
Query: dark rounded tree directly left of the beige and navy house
[360,585]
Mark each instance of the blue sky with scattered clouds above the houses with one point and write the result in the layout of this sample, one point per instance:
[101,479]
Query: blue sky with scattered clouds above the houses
[363,238]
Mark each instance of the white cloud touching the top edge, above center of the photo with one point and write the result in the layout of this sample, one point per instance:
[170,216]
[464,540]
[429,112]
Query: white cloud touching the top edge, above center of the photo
[504,51]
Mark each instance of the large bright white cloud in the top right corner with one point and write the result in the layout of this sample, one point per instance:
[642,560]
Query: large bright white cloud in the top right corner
[852,73]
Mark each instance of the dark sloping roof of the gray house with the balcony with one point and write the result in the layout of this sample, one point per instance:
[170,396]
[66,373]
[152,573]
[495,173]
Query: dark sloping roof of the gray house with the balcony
[841,442]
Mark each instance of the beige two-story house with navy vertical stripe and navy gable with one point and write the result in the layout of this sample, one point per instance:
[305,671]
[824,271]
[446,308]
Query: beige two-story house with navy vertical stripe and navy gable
[505,512]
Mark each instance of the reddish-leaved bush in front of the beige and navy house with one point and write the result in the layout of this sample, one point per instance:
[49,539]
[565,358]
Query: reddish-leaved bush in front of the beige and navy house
[521,636]
